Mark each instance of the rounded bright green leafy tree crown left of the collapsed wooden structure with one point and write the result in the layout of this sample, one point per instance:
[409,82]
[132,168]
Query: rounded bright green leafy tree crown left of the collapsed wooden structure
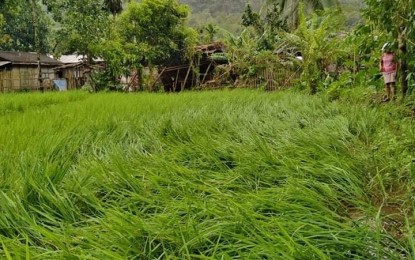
[154,31]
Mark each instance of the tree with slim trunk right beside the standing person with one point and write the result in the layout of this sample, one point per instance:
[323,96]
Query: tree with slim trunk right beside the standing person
[397,19]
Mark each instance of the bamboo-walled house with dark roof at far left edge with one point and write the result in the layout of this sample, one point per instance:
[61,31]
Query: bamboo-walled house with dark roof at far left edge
[19,71]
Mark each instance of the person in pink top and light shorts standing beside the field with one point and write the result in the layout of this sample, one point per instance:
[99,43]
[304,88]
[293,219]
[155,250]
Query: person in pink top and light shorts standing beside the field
[388,68]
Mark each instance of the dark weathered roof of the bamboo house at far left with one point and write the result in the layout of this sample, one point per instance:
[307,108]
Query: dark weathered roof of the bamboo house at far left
[26,58]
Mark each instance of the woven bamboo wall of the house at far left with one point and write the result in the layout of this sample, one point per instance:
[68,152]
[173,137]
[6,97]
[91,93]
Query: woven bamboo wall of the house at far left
[25,78]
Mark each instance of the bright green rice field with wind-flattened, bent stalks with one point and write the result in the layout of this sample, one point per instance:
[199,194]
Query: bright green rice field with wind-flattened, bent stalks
[213,175]
